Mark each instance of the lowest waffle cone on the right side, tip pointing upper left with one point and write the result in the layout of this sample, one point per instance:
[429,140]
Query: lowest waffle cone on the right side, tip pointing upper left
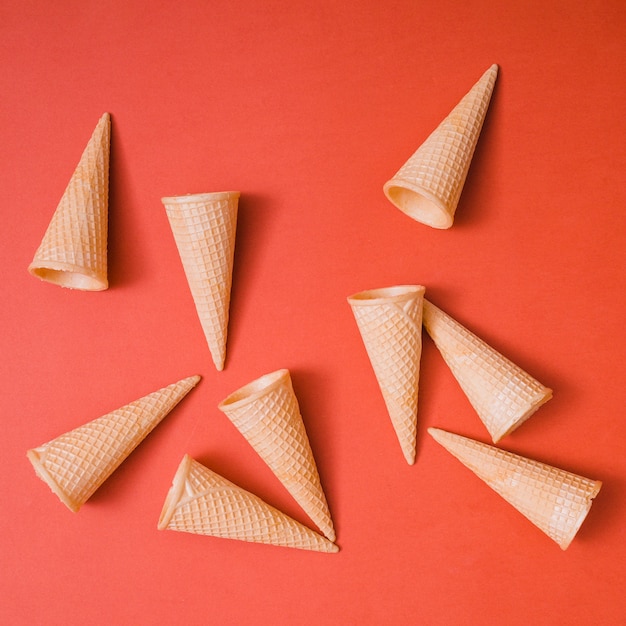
[554,500]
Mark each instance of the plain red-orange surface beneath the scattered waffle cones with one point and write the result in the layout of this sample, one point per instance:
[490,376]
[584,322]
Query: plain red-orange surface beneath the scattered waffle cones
[307,110]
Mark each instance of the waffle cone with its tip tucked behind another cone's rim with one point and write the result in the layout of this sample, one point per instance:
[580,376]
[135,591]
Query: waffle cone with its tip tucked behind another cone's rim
[503,395]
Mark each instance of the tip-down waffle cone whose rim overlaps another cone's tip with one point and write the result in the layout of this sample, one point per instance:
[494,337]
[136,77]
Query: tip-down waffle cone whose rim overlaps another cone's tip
[390,323]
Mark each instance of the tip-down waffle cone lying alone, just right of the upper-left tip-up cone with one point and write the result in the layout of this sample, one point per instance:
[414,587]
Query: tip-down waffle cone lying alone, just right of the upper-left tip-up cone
[204,228]
